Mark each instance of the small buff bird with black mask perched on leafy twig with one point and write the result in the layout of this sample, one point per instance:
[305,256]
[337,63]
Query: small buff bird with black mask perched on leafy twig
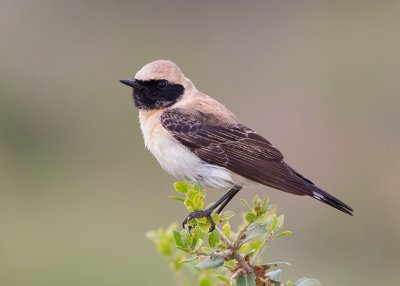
[196,138]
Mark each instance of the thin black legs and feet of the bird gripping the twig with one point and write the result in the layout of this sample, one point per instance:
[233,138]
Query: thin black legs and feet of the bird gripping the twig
[222,202]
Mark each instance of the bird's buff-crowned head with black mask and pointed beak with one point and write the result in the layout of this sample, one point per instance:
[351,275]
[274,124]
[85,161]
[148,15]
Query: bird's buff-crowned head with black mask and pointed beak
[159,84]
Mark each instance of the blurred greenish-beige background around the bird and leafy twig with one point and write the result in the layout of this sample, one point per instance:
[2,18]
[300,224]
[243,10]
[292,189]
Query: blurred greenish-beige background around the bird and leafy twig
[78,190]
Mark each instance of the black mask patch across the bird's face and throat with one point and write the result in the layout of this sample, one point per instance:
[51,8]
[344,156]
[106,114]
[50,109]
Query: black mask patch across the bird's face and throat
[156,94]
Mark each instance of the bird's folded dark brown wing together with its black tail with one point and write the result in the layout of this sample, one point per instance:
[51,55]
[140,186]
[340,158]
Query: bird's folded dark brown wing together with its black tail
[242,151]
